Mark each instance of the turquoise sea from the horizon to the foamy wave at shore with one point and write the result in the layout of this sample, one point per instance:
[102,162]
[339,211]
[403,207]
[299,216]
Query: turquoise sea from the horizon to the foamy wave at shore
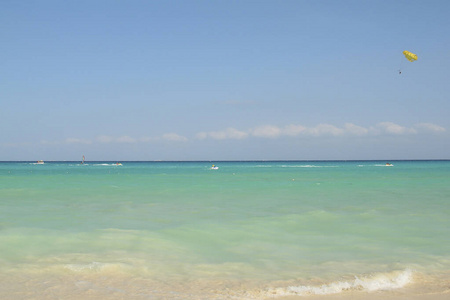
[247,230]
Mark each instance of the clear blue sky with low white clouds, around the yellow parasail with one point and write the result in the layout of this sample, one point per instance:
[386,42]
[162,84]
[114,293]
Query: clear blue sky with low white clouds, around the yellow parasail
[224,80]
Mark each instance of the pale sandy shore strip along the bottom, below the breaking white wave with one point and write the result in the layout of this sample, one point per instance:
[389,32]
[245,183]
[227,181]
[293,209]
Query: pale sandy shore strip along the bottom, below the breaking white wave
[98,286]
